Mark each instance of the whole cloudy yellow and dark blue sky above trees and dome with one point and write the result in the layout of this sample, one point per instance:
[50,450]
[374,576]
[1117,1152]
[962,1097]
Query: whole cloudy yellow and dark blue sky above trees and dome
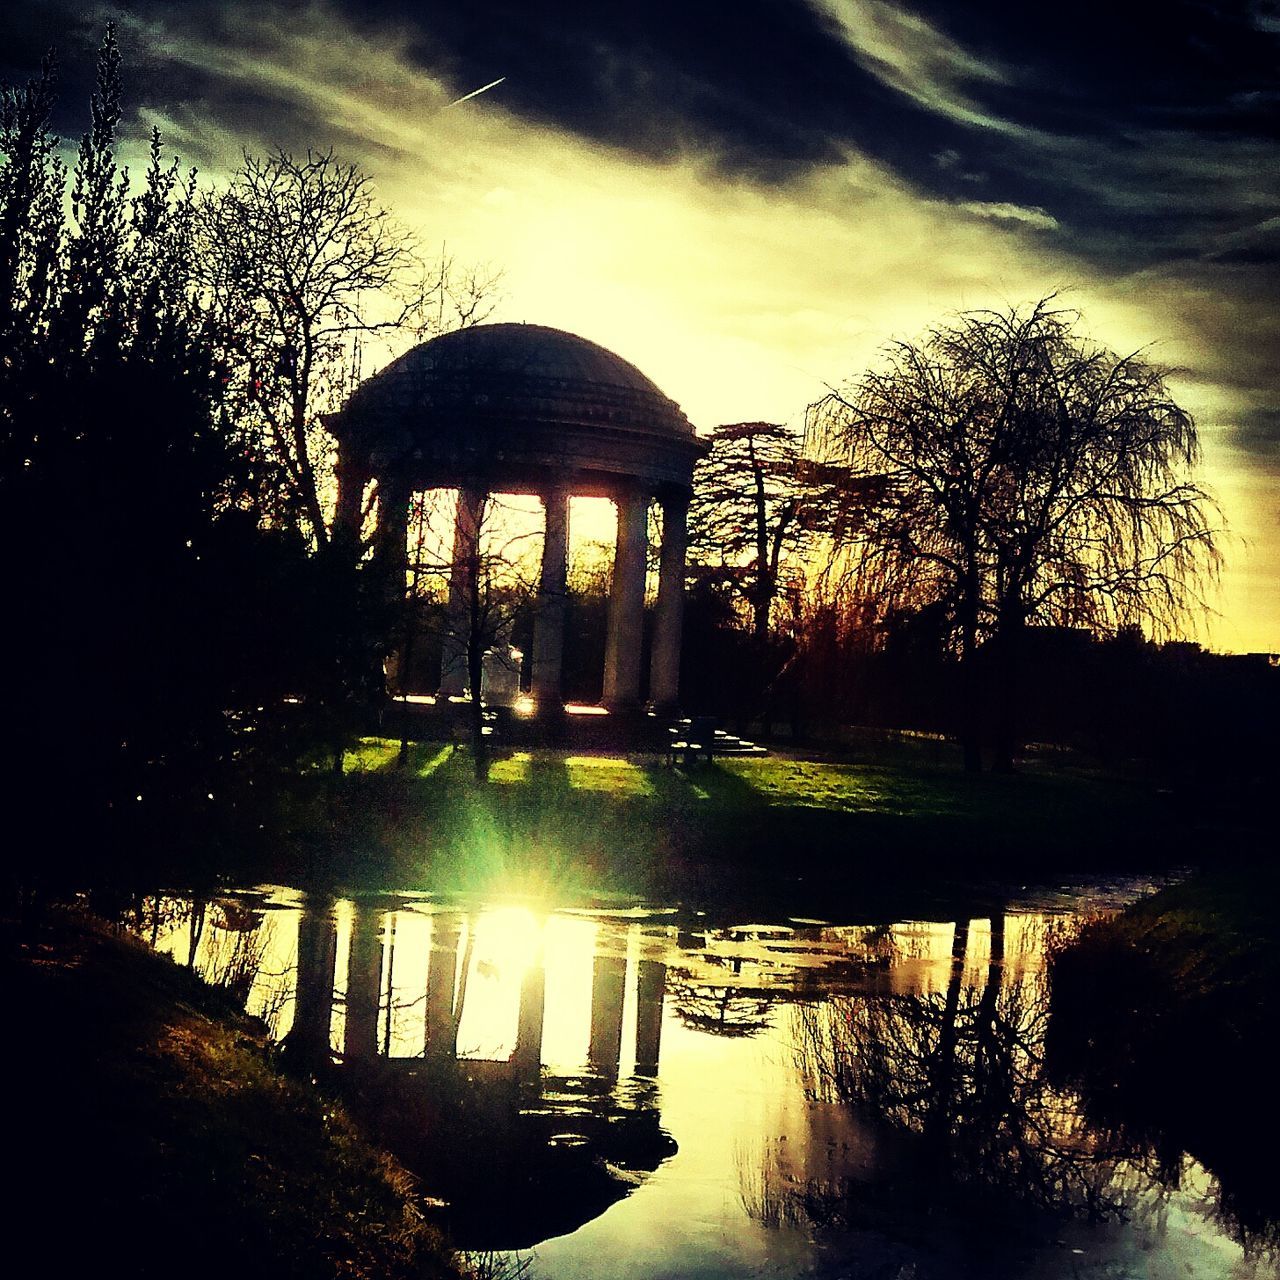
[747,200]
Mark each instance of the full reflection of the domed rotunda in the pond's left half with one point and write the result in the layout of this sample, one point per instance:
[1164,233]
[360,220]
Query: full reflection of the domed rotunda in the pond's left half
[527,1114]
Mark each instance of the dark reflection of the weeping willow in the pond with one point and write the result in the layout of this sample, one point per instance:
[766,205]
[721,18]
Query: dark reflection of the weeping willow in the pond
[968,1130]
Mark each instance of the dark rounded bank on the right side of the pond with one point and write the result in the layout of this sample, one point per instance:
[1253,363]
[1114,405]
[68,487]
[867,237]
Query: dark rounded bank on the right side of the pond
[1177,1058]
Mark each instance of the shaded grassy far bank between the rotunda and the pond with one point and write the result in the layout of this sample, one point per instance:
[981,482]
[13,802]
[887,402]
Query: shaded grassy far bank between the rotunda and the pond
[776,830]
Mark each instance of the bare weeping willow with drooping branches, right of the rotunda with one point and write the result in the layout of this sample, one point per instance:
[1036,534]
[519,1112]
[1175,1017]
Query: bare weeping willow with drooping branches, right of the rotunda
[1027,476]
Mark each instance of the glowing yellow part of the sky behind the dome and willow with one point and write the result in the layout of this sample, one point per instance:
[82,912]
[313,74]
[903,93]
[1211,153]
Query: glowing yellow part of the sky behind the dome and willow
[742,299]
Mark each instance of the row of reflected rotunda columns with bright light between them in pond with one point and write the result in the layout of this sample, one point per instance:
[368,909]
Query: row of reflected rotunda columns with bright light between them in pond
[546,994]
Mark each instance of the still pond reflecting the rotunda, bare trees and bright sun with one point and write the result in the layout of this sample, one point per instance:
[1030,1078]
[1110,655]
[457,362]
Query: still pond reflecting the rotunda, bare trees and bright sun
[646,1091]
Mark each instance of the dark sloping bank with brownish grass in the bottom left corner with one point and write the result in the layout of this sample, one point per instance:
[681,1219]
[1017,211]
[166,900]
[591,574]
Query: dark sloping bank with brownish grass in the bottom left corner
[156,1131]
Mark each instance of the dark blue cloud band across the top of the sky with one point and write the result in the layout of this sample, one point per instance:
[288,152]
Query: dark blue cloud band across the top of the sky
[1144,131]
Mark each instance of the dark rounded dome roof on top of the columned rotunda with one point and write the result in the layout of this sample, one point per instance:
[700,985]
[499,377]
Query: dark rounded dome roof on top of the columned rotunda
[515,373]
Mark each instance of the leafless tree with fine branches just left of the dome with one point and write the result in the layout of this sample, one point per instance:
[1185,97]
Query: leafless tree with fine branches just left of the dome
[305,266]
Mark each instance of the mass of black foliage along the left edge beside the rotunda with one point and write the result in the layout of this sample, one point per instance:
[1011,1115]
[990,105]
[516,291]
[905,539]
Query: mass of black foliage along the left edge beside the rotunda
[156,627]
